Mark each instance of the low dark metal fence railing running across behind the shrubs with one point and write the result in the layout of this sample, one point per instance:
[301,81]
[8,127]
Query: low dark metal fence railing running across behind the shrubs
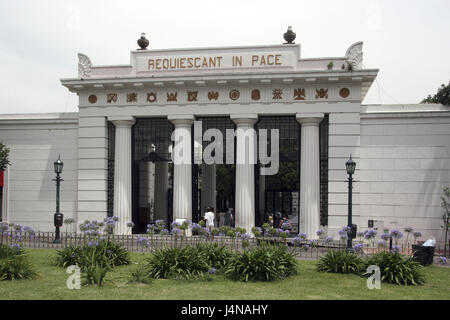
[147,243]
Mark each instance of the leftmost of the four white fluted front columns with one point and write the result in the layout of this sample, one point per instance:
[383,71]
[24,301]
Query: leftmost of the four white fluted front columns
[122,173]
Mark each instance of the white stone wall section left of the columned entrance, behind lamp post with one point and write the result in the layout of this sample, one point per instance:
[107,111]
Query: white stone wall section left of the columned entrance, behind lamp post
[35,141]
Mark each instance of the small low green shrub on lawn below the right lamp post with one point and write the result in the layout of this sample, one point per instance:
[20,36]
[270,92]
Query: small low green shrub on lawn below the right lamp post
[339,262]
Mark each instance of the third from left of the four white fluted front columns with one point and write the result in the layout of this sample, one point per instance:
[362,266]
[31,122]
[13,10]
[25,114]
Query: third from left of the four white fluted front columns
[245,175]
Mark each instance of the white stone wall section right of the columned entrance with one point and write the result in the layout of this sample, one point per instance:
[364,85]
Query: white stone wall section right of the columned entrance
[404,165]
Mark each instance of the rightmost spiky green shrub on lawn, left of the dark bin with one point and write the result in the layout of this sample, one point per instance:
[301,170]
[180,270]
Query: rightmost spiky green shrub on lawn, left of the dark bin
[396,268]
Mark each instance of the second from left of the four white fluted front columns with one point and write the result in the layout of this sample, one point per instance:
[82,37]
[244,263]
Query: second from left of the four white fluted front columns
[182,158]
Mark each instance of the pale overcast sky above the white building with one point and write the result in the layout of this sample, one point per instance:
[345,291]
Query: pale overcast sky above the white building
[39,40]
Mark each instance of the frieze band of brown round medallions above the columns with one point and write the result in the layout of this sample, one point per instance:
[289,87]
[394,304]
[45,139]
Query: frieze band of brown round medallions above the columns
[225,95]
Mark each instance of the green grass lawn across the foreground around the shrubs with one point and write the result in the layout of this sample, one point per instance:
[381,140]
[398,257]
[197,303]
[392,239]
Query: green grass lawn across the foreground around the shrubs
[308,284]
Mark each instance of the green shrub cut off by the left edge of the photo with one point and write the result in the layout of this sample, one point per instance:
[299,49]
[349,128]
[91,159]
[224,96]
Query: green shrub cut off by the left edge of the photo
[16,267]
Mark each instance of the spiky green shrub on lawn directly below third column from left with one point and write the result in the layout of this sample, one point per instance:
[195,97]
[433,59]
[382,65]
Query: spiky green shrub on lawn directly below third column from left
[266,263]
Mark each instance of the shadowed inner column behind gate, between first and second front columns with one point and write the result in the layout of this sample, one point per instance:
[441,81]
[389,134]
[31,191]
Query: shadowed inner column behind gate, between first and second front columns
[161,186]
